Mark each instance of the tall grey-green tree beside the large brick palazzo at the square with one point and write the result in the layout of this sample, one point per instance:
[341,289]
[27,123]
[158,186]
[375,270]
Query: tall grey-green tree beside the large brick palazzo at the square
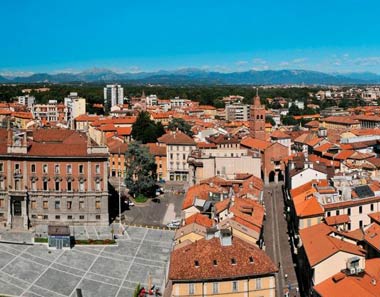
[141,173]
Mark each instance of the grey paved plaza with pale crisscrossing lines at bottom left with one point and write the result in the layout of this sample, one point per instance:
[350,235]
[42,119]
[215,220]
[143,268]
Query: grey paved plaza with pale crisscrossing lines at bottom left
[33,270]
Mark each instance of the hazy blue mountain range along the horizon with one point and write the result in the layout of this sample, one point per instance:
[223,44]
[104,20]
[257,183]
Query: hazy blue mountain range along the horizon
[197,76]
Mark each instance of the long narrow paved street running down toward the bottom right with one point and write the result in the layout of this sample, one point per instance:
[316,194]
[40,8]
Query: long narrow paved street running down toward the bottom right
[276,240]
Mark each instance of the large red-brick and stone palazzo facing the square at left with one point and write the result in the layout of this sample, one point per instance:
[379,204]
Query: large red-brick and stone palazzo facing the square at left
[52,176]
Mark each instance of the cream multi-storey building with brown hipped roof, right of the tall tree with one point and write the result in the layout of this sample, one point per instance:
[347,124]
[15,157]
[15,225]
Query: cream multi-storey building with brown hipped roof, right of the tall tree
[178,148]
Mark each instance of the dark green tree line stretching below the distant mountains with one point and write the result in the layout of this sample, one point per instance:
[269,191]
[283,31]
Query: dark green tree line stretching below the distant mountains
[207,95]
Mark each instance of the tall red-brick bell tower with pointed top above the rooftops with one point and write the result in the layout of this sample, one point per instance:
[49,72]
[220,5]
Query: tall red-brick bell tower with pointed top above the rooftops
[257,120]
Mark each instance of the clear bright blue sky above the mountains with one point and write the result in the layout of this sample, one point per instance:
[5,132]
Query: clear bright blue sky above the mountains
[235,35]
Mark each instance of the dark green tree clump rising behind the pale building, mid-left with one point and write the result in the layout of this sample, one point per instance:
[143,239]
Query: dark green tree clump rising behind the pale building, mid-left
[145,130]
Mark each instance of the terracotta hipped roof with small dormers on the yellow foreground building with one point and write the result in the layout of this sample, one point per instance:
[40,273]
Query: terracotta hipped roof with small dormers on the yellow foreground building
[210,260]
